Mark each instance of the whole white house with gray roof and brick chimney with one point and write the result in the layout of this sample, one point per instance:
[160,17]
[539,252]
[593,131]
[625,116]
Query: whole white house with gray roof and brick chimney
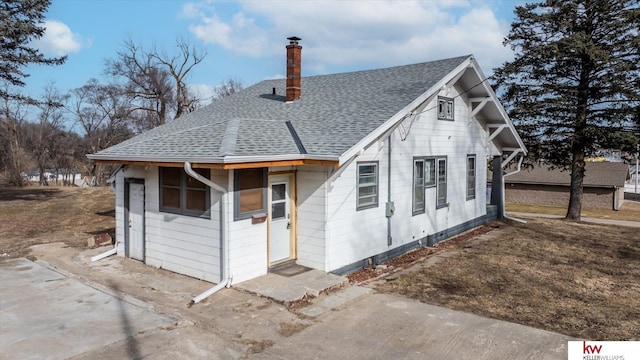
[330,172]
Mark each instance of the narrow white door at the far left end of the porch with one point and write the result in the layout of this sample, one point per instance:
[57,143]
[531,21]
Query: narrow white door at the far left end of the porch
[135,221]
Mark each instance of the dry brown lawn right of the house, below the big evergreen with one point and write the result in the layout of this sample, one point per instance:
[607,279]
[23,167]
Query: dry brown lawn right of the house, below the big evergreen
[577,279]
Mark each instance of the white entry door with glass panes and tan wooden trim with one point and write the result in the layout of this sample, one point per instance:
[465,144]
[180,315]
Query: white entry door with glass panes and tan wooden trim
[280,220]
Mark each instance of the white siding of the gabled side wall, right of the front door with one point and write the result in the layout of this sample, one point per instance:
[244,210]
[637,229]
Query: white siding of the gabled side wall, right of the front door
[355,235]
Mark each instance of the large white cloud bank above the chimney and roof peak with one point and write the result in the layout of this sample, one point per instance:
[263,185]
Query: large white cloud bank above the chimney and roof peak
[359,34]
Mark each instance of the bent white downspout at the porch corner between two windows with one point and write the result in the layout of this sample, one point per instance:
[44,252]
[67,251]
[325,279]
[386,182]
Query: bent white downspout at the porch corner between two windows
[224,247]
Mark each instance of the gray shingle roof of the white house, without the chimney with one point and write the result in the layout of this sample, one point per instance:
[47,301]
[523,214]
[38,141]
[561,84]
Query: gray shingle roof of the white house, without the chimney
[333,114]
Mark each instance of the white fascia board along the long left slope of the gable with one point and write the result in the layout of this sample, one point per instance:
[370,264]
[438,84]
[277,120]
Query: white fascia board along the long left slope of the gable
[400,115]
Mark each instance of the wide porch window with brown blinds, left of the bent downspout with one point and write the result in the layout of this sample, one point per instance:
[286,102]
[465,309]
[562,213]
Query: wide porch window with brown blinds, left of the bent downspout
[182,194]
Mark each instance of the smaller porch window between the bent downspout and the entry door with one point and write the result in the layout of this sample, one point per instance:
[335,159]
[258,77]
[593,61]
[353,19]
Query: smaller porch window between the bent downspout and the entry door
[250,192]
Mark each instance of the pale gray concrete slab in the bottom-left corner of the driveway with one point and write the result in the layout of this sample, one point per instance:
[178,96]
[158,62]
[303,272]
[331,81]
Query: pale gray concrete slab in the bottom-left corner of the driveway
[45,314]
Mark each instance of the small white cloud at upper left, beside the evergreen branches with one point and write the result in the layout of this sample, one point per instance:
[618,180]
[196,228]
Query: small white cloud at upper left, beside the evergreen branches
[58,39]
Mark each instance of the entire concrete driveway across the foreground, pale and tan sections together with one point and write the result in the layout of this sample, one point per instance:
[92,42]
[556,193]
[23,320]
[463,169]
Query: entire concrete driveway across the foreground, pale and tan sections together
[47,314]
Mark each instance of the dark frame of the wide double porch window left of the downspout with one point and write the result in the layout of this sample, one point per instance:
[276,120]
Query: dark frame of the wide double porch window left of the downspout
[183,210]
